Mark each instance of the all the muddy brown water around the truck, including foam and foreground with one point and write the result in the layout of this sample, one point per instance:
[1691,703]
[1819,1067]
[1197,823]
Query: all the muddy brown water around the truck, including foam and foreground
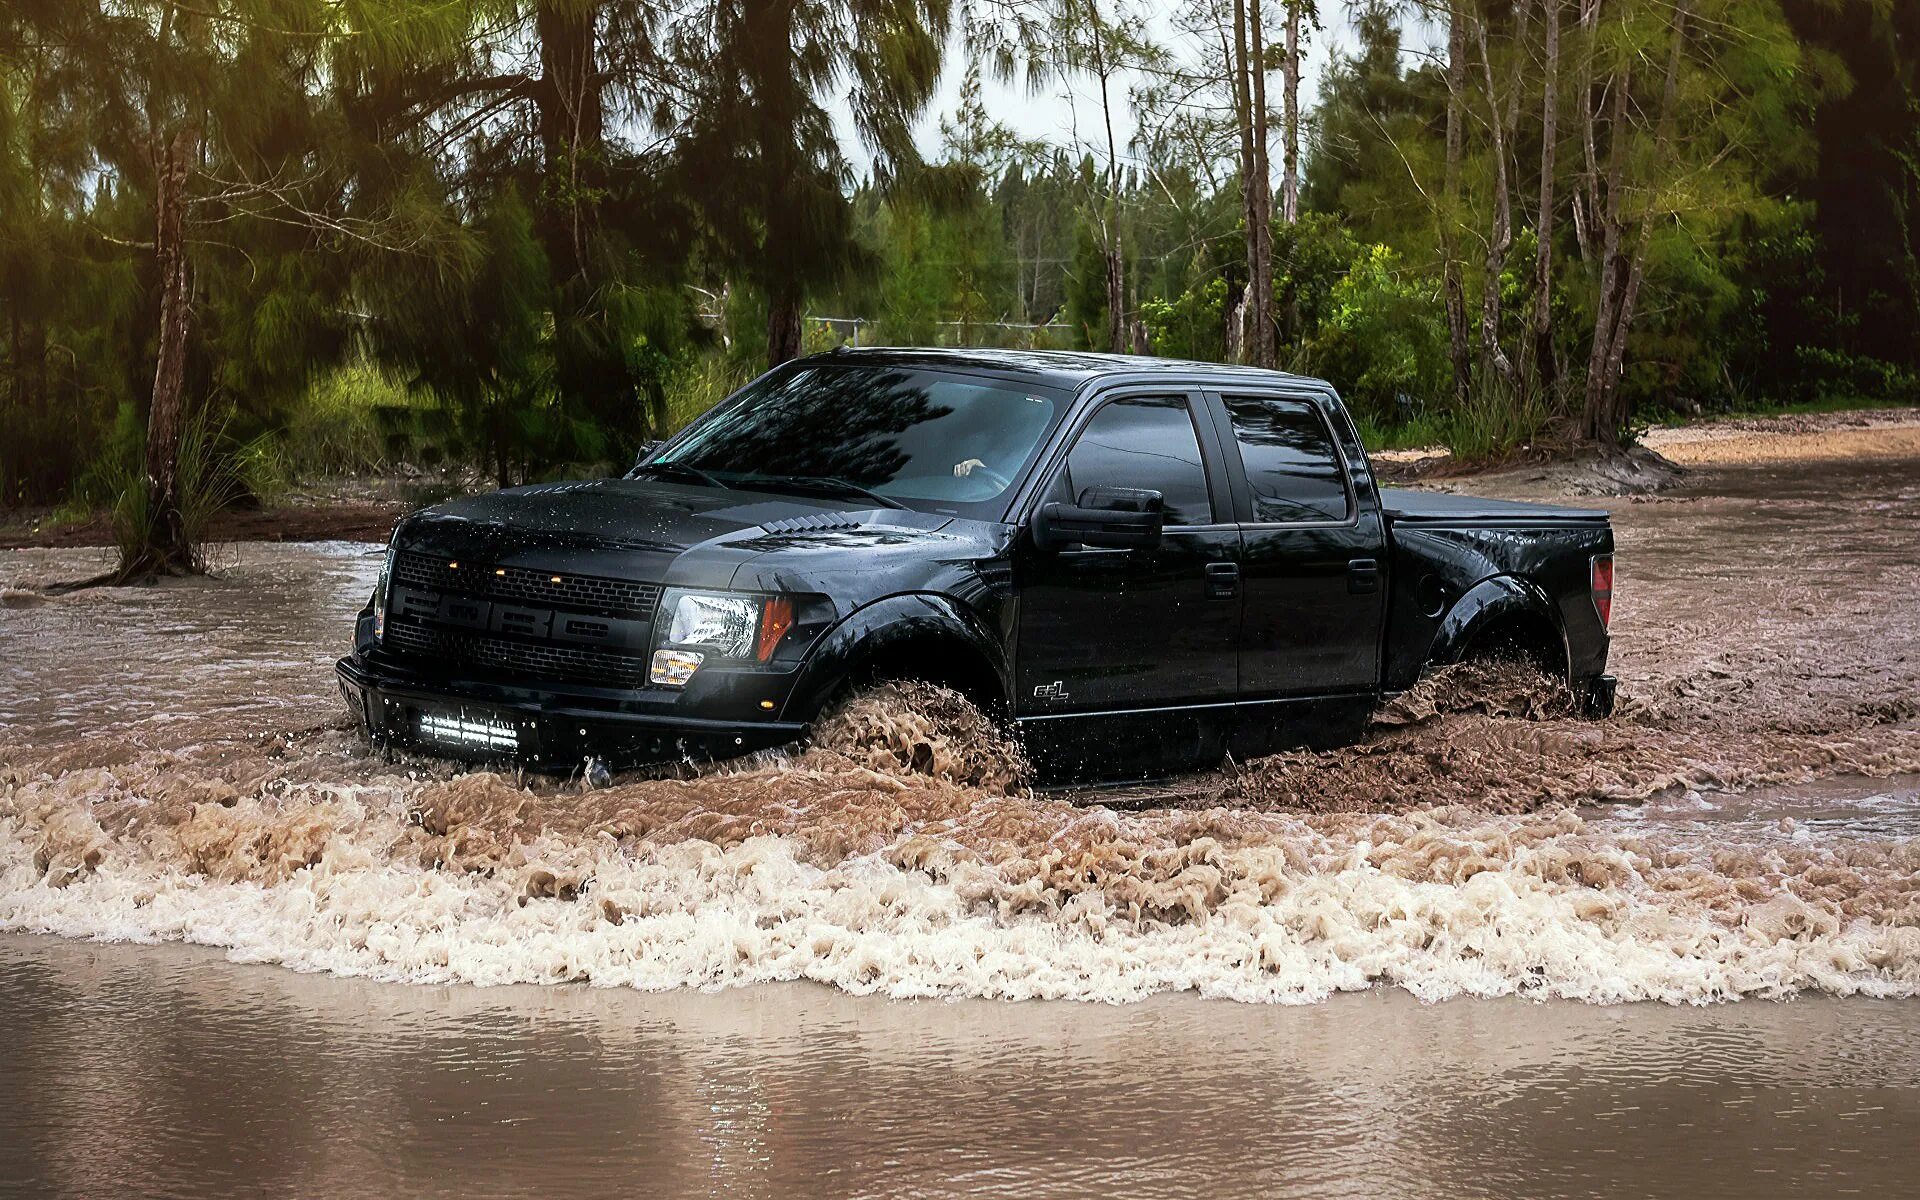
[825,976]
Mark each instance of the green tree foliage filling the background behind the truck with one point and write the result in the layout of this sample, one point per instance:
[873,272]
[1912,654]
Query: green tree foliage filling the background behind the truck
[427,233]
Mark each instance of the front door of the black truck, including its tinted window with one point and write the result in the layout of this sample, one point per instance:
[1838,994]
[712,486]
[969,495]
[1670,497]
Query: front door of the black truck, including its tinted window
[1132,656]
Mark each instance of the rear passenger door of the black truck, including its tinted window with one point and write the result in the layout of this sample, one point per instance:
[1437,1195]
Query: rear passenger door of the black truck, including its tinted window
[1312,548]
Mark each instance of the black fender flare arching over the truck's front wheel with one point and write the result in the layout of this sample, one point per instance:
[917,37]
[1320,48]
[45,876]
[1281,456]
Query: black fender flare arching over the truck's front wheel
[911,623]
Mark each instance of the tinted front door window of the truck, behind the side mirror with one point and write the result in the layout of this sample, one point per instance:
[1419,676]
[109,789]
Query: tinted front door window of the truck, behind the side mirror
[1145,443]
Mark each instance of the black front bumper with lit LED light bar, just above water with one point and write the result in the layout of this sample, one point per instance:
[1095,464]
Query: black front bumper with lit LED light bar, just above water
[544,731]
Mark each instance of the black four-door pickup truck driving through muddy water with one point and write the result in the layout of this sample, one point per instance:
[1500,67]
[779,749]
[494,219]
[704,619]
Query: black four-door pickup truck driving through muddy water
[1143,565]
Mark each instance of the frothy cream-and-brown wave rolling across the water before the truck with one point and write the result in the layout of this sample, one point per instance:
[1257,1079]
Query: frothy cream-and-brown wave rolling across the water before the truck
[1111,907]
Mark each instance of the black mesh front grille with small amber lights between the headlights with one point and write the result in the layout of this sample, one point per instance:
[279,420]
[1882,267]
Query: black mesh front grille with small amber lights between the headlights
[521,623]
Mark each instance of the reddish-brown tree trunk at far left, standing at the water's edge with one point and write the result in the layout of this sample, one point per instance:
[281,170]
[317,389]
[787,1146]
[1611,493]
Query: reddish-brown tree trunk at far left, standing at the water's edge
[168,544]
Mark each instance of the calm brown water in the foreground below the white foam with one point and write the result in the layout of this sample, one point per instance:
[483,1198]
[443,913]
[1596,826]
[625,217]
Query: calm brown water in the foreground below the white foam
[170,1072]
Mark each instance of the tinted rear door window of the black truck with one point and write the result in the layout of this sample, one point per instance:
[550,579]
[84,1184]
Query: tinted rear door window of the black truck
[1291,462]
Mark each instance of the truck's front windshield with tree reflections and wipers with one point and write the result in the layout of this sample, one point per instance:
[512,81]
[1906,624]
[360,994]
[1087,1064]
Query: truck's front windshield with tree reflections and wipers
[921,439]
